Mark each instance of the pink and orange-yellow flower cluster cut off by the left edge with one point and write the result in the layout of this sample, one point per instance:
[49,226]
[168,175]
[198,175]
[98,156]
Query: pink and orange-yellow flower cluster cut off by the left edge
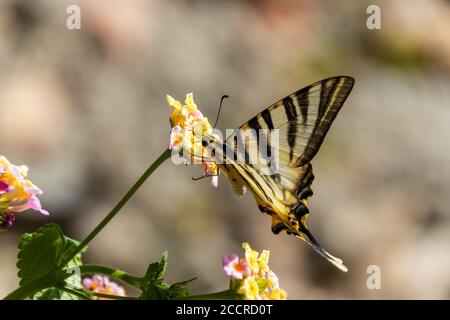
[17,194]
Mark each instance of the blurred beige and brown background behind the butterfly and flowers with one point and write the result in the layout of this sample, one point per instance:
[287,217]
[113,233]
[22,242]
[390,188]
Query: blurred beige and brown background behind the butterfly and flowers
[85,110]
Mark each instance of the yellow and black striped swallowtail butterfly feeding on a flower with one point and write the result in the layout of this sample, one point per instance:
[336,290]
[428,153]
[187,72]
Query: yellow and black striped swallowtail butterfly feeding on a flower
[301,121]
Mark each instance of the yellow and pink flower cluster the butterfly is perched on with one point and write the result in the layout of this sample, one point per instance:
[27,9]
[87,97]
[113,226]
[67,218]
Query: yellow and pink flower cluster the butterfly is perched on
[189,126]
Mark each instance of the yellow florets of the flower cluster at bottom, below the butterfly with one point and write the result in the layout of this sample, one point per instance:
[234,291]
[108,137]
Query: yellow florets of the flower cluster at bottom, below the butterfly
[261,283]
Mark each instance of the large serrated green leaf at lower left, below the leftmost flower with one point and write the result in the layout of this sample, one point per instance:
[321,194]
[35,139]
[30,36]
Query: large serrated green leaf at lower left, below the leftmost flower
[39,253]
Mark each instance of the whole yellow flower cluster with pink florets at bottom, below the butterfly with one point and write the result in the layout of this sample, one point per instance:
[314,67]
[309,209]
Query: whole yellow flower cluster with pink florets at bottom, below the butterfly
[251,277]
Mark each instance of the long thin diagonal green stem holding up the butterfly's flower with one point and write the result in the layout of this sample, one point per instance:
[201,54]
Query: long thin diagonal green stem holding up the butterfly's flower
[163,157]
